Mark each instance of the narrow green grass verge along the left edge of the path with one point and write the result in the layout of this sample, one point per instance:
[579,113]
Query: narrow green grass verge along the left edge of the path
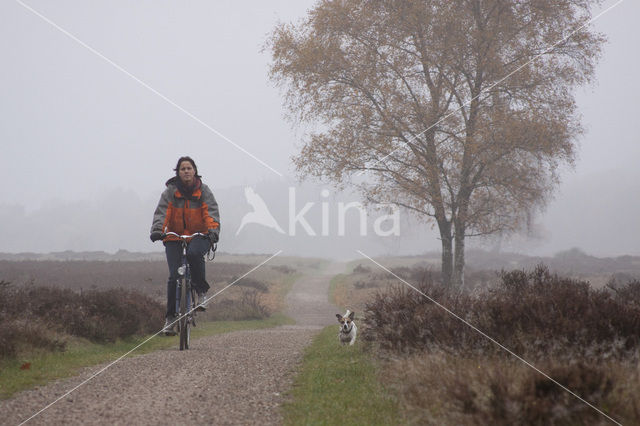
[47,366]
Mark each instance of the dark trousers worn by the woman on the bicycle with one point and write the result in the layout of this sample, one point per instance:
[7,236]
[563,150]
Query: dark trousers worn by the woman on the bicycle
[196,250]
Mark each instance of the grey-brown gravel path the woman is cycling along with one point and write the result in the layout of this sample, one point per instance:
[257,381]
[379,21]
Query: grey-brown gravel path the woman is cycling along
[228,379]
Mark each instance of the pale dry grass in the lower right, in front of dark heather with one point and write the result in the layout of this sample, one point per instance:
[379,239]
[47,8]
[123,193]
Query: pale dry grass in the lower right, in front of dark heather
[446,389]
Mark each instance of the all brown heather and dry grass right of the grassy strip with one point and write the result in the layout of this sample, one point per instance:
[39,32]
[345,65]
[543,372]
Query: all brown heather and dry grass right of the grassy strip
[447,373]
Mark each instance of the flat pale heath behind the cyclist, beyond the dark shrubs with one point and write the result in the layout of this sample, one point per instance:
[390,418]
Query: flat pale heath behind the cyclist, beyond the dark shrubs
[261,292]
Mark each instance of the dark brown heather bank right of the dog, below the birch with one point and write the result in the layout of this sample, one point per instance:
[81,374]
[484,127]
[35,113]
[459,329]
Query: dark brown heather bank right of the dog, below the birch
[533,313]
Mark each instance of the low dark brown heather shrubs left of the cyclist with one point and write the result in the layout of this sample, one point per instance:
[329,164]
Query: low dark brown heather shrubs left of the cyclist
[35,317]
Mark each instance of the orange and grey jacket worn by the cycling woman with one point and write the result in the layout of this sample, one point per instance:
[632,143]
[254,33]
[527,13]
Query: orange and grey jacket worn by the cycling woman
[175,213]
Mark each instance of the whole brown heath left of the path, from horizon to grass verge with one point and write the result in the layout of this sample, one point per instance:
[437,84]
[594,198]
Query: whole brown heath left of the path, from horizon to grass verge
[44,304]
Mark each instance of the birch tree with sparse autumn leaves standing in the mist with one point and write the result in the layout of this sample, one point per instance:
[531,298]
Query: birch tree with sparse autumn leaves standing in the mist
[461,112]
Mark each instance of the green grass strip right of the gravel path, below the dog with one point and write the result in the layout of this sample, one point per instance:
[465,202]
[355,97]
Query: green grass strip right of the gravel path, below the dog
[338,385]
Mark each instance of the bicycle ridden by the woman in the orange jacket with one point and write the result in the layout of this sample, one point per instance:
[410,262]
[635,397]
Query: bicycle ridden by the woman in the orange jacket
[185,293]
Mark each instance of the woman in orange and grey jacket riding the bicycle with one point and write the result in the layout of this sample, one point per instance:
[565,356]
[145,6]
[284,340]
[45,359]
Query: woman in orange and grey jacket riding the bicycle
[187,206]
